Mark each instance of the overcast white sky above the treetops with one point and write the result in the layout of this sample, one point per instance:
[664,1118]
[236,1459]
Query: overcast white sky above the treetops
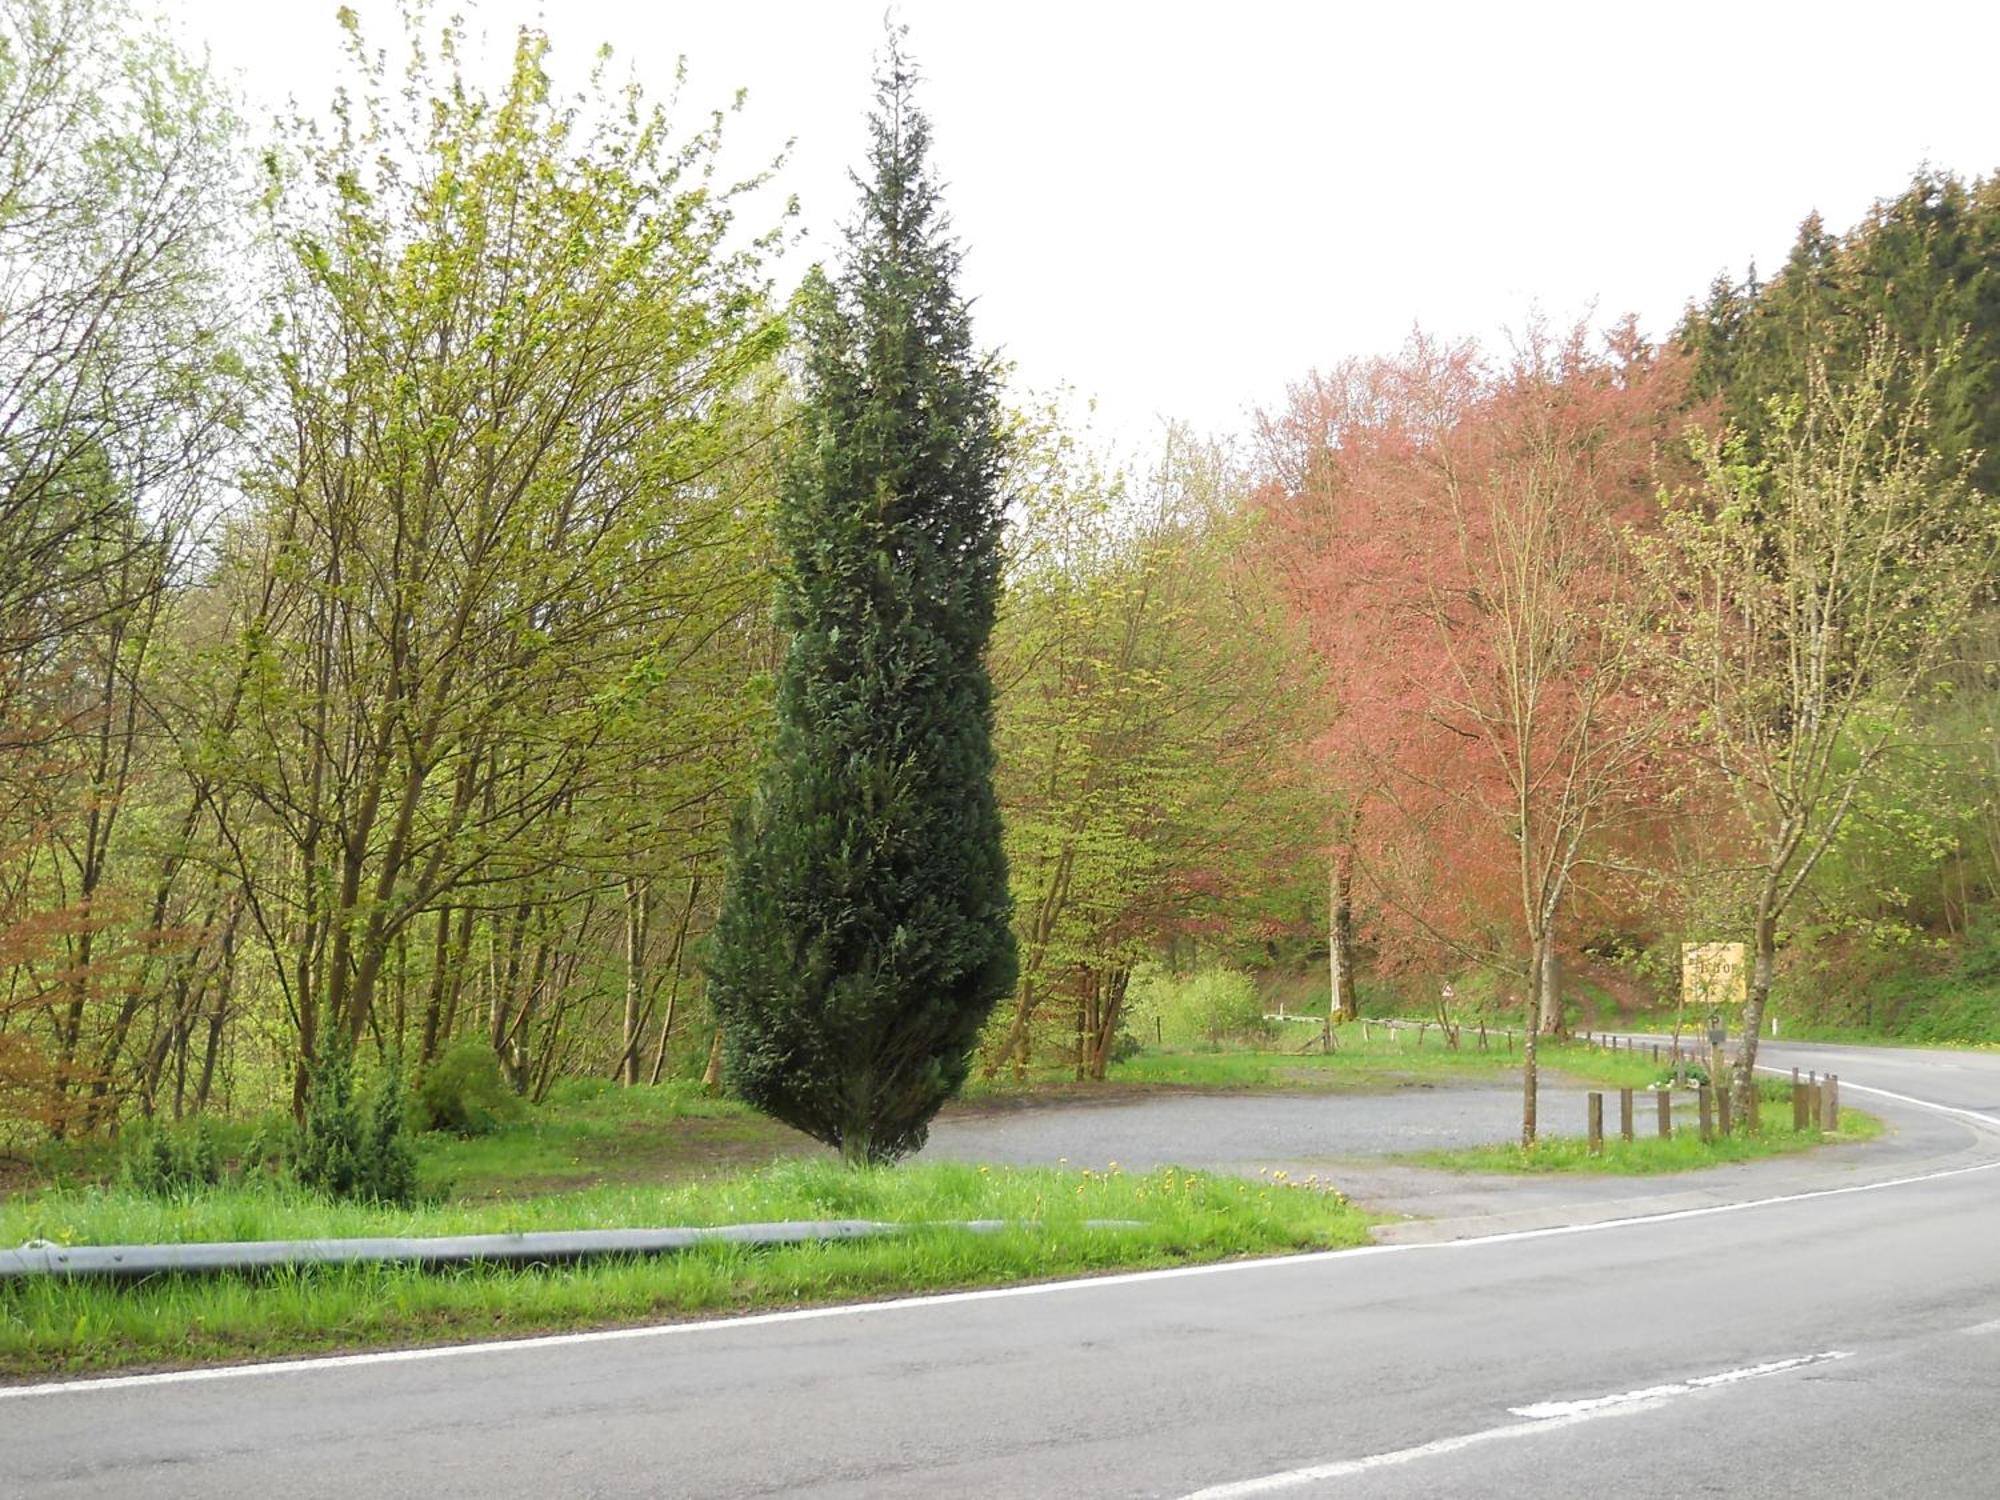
[1179,209]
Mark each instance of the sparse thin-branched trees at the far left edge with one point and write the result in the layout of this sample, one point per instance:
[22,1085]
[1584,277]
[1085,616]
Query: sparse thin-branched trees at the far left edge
[121,383]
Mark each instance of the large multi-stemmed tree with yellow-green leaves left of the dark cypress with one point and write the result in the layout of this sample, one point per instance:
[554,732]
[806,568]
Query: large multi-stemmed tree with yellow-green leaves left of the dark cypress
[493,619]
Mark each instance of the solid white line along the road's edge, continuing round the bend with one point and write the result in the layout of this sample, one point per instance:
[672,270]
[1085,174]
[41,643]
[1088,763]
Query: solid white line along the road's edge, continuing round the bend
[989,1293]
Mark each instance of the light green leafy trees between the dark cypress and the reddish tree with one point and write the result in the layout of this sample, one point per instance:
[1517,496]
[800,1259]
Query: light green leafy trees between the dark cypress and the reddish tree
[1151,719]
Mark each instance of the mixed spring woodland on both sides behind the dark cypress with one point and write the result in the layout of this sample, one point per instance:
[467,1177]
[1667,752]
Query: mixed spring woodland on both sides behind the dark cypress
[389,605]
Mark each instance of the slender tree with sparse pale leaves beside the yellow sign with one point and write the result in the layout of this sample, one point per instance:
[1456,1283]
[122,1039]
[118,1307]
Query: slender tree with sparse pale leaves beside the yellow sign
[1823,589]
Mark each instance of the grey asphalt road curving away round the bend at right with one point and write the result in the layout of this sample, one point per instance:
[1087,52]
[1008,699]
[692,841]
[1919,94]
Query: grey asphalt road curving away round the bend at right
[1841,1341]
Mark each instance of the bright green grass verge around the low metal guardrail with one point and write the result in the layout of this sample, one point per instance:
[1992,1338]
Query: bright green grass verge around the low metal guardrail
[53,1327]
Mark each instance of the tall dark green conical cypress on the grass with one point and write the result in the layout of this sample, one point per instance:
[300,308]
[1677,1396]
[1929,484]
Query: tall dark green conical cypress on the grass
[865,935]
